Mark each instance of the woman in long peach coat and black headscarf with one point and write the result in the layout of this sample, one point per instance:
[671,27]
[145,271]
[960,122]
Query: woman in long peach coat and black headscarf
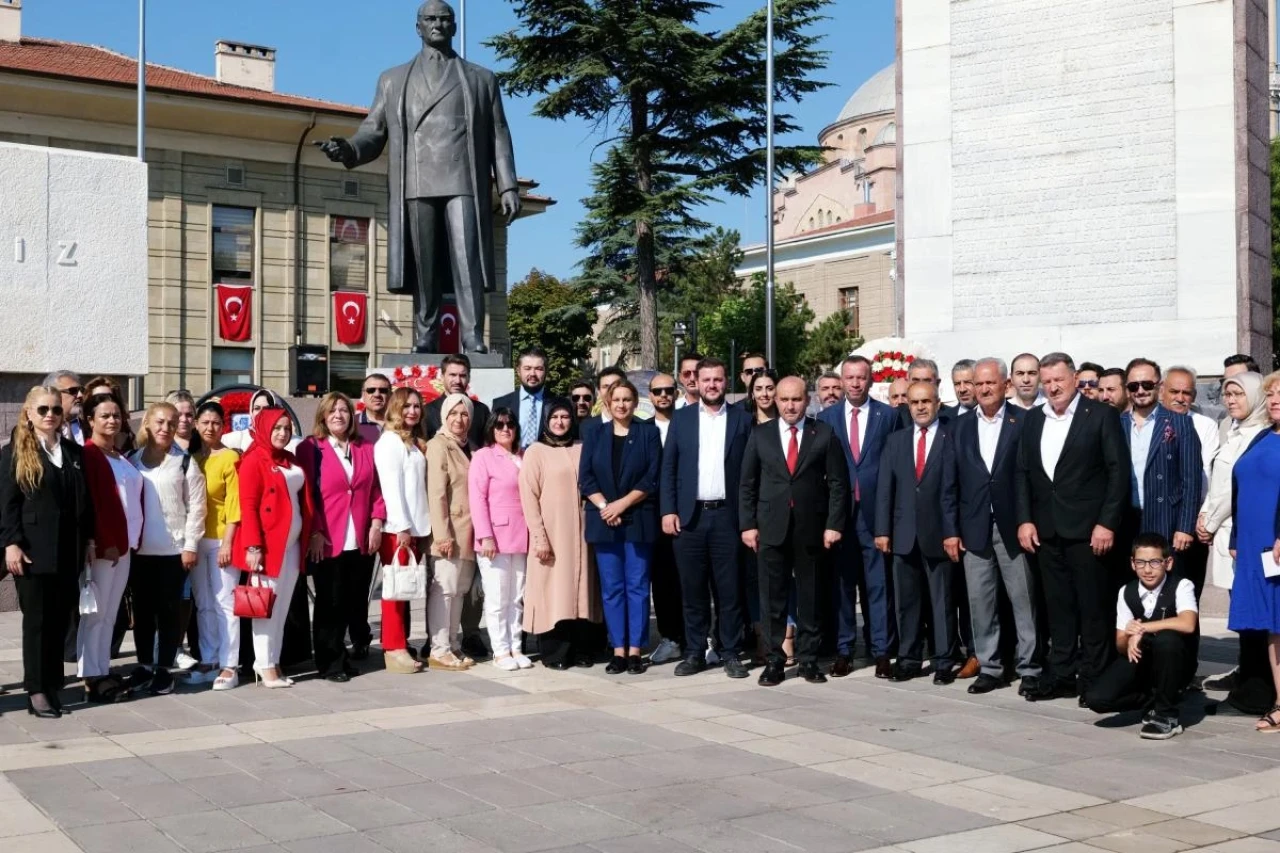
[563,591]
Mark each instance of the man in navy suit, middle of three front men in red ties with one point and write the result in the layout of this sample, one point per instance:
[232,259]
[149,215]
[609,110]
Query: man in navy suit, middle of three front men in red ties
[861,569]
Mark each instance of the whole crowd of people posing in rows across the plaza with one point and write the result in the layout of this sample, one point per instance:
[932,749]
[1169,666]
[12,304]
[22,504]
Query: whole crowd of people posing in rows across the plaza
[988,541]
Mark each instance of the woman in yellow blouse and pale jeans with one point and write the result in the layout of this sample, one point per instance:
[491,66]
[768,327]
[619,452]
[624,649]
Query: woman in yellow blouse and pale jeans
[214,580]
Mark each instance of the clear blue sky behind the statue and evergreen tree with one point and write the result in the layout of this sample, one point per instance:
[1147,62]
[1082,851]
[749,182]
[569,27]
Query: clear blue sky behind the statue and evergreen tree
[335,51]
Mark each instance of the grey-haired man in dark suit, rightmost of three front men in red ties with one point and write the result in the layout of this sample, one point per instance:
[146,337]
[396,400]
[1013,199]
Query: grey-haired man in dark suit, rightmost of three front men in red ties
[916,522]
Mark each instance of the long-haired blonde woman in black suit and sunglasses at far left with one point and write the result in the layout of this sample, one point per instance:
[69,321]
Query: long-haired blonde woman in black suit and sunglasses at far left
[47,526]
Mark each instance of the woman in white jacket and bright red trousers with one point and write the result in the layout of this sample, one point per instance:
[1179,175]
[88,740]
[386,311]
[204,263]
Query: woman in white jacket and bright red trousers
[400,457]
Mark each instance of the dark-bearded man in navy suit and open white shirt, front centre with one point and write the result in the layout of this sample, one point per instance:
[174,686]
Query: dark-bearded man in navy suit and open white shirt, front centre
[702,467]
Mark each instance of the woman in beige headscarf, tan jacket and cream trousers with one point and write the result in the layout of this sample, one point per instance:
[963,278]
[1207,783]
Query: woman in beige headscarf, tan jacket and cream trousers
[449,464]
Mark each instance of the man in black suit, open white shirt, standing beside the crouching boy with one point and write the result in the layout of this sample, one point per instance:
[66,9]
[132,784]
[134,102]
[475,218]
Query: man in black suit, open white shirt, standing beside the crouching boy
[1072,487]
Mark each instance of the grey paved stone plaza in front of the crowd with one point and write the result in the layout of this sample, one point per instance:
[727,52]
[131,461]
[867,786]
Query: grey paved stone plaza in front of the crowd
[582,761]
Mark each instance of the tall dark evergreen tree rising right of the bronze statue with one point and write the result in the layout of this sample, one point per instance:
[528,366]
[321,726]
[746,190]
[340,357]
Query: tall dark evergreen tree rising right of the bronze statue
[682,110]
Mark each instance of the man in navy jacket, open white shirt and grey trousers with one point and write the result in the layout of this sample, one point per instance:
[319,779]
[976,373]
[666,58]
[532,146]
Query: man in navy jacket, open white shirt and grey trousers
[986,443]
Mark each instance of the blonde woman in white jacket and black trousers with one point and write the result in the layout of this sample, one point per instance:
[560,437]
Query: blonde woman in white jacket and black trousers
[173,523]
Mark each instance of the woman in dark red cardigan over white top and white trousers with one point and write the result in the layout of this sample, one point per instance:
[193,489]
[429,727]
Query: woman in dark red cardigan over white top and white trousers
[116,489]
